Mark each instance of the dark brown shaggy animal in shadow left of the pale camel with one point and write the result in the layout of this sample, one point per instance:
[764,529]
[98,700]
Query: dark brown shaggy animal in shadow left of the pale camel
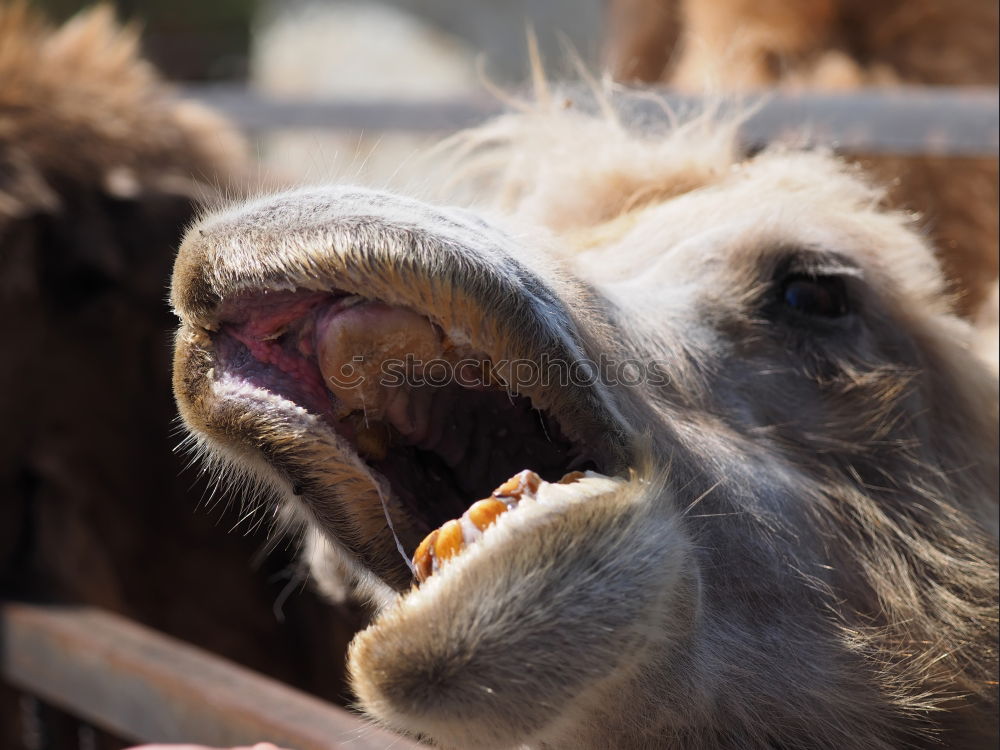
[101,168]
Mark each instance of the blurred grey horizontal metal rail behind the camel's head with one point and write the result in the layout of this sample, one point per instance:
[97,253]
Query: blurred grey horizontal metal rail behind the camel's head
[907,120]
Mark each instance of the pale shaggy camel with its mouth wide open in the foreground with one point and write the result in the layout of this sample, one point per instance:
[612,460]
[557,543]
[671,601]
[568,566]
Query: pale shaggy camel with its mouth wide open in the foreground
[789,538]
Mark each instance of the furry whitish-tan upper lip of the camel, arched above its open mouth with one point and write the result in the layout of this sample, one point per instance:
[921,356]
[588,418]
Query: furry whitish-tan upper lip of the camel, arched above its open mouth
[446,264]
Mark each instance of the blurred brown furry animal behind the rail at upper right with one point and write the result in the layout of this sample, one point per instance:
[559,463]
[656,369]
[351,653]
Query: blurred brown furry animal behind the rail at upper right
[726,45]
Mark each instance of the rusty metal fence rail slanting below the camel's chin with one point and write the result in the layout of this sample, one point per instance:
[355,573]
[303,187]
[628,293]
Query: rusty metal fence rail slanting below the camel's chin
[146,687]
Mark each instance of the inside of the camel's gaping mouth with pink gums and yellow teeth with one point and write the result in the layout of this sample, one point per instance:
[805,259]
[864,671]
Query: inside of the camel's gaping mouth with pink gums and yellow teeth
[439,424]
